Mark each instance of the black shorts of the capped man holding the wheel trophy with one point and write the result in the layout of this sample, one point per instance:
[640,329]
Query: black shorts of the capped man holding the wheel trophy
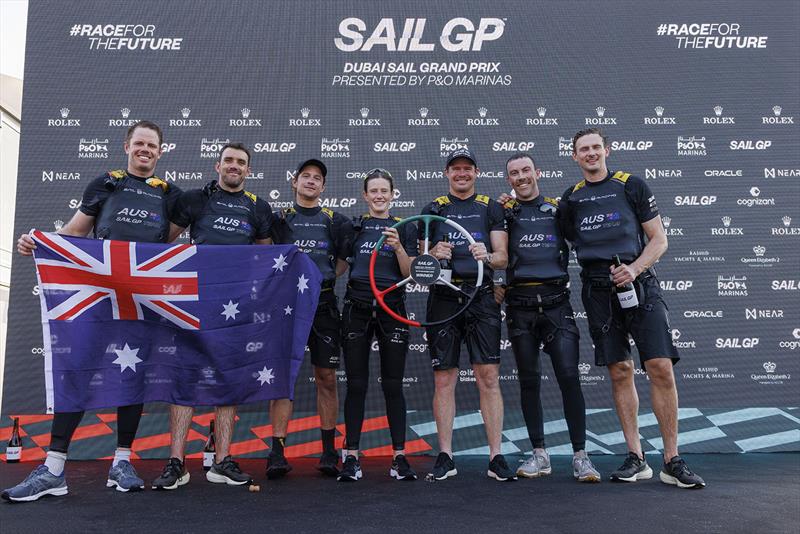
[479,326]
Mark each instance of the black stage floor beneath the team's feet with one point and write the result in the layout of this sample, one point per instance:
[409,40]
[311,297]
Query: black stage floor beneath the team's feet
[749,493]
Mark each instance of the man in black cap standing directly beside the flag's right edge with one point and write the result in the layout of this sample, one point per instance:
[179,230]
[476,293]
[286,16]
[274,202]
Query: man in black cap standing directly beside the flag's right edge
[325,236]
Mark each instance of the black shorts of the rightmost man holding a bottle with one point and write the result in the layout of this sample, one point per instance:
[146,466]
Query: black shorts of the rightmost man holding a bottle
[611,328]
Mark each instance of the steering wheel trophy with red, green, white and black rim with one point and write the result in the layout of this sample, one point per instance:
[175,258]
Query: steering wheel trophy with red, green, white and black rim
[425,271]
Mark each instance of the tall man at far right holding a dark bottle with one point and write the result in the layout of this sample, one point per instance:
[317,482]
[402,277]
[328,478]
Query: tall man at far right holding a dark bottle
[606,215]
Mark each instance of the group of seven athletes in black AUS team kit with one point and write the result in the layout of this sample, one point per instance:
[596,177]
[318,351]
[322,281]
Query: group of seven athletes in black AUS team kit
[526,235]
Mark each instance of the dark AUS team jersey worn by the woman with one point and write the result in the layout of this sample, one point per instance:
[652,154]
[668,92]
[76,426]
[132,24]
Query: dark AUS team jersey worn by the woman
[367,231]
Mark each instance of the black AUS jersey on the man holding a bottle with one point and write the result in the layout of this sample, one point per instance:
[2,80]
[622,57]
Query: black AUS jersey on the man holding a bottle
[605,218]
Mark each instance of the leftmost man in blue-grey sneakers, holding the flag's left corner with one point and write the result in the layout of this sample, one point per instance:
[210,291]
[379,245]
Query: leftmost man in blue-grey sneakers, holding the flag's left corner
[135,188]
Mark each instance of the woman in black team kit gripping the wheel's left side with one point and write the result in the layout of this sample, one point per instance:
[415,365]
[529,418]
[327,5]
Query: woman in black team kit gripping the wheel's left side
[363,318]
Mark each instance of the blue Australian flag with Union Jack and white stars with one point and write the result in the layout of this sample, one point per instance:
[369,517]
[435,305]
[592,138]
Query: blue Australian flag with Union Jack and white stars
[126,323]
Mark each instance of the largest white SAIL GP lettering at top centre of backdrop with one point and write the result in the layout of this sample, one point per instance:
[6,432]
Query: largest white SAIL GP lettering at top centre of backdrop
[457,35]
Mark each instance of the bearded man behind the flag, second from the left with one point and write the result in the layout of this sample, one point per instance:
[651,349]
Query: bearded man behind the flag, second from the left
[221,213]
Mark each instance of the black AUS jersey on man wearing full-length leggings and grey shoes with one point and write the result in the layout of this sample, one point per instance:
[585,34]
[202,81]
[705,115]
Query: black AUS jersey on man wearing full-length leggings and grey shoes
[537,250]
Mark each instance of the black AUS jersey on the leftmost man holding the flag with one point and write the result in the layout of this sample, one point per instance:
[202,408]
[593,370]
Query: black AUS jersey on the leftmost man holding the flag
[130,208]
